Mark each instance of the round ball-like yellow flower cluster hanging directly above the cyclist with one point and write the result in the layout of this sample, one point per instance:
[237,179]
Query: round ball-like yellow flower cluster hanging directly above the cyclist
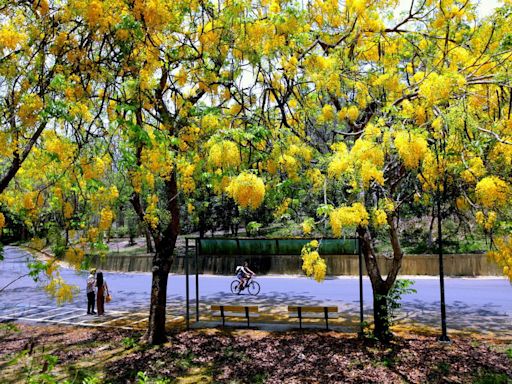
[248,190]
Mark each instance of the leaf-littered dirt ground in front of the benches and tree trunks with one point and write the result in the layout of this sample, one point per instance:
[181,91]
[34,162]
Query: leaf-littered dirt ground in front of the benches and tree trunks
[56,354]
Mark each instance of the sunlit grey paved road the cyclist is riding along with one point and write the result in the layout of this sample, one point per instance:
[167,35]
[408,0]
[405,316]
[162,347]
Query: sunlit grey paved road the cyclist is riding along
[483,304]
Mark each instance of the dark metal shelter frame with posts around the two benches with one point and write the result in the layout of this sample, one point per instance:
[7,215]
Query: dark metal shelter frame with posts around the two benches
[198,252]
